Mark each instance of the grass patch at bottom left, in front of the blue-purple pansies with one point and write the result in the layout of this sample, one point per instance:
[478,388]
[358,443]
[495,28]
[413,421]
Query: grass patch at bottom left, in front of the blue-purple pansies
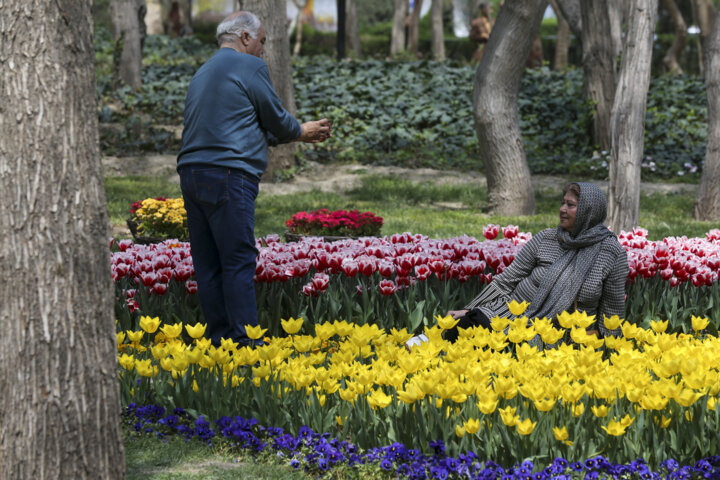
[147,458]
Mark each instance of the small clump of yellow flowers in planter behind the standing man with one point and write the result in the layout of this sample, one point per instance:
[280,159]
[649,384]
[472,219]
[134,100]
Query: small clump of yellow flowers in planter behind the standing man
[162,218]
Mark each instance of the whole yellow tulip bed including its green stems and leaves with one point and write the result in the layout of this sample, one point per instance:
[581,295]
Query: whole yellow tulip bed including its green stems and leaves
[648,395]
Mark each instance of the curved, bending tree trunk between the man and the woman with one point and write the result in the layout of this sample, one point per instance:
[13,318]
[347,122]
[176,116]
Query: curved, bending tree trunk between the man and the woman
[495,106]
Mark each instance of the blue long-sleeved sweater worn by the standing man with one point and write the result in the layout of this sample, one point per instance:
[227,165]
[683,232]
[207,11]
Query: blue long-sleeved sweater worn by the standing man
[232,114]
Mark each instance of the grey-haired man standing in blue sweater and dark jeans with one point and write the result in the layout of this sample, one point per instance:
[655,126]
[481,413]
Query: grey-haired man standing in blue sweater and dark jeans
[232,114]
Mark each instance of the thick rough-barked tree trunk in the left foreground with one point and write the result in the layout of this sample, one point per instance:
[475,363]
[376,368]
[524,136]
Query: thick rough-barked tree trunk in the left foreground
[60,401]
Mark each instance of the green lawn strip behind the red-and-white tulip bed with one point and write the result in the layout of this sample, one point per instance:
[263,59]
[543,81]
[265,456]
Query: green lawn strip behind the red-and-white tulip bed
[430,209]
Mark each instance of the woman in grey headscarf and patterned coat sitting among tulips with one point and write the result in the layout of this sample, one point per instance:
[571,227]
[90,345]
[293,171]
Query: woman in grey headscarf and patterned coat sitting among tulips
[580,265]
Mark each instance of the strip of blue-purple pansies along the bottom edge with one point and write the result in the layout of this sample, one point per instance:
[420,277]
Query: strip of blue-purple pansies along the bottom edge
[317,454]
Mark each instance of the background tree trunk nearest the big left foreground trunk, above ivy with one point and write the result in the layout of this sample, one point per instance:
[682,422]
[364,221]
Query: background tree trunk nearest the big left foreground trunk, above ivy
[126,32]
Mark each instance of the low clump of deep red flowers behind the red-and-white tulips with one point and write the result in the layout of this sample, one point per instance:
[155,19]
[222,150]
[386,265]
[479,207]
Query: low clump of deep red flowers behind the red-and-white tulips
[342,223]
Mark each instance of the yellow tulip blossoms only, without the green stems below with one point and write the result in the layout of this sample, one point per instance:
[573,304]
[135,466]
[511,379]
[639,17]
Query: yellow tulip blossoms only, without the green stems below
[486,377]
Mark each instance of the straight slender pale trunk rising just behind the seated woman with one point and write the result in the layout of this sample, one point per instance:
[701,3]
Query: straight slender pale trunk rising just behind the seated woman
[628,116]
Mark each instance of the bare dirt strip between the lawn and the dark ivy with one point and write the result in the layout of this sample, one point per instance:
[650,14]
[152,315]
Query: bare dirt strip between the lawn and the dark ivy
[344,177]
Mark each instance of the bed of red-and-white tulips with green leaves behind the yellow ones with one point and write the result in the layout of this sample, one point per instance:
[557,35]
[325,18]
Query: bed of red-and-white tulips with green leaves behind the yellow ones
[404,280]
